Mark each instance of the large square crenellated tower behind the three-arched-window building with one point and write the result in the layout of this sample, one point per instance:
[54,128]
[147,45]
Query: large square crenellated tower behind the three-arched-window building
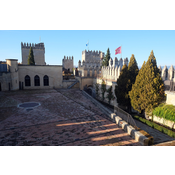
[38,52]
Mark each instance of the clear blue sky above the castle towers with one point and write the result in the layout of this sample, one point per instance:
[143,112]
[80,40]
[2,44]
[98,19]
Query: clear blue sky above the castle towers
[72,42]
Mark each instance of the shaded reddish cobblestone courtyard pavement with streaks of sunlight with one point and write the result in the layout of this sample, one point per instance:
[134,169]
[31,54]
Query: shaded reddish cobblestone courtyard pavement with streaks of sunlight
[64,117]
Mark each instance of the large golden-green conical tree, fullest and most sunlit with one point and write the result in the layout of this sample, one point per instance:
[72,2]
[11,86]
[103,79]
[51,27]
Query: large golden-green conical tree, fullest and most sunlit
[148,90]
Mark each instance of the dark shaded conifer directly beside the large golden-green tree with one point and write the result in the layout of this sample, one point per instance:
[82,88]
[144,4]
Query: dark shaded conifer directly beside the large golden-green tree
[122,88]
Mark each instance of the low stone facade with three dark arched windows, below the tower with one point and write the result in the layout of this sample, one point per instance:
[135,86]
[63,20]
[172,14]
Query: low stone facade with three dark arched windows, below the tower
[16,76]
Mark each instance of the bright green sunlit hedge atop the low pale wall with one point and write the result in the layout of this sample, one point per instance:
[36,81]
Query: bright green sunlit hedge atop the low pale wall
[165,111]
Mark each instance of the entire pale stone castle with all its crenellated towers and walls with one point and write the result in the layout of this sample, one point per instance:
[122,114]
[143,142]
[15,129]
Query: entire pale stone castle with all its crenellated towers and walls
[15,76]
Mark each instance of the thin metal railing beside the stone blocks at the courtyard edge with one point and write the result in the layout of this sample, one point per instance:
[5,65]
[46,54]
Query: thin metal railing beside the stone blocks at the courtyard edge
[125,116]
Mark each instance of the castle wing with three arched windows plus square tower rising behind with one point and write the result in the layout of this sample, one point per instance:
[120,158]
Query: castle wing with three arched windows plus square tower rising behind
[15,76]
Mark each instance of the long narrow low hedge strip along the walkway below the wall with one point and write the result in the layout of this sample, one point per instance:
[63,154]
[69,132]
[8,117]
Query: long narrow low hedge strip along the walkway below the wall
[156,126]
